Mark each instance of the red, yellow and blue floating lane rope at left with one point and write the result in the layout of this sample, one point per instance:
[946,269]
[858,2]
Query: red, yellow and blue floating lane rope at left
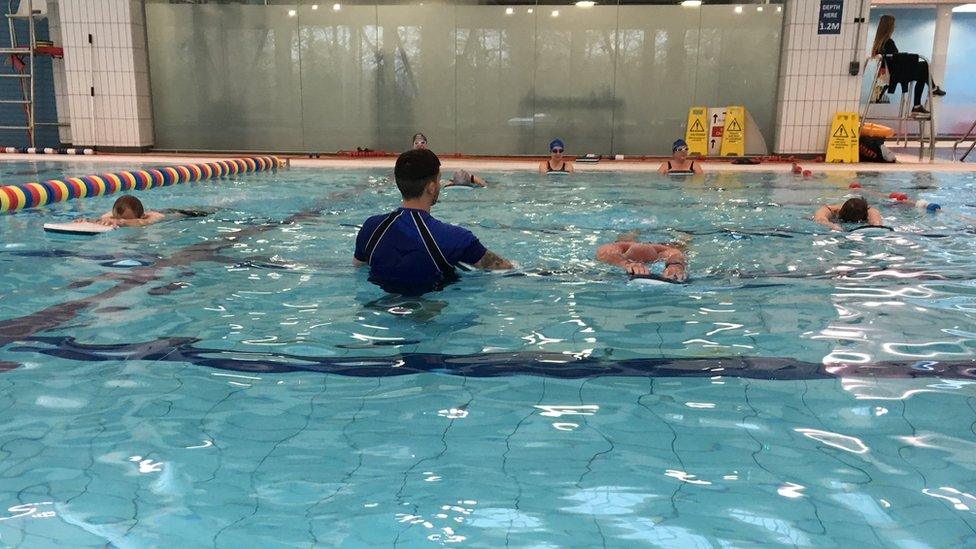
[31,195]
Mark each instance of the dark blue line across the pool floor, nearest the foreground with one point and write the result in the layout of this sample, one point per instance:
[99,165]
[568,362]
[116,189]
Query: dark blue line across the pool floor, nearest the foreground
[554,365]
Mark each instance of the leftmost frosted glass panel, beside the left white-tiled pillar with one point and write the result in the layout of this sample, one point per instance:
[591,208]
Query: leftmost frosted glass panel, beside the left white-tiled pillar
[225,77]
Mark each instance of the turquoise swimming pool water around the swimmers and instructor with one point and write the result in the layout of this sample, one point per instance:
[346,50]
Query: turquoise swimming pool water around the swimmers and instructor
[232,381]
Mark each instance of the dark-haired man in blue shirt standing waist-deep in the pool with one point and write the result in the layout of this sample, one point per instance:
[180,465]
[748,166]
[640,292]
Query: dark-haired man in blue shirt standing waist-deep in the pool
[407,250]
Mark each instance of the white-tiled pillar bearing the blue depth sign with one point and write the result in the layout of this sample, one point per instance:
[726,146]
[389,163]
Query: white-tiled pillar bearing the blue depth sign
[814,82]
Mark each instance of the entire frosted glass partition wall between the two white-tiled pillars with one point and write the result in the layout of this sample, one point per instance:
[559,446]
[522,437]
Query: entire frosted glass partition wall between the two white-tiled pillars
[476,79]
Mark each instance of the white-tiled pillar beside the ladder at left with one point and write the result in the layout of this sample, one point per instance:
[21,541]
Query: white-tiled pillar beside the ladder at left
[114,64]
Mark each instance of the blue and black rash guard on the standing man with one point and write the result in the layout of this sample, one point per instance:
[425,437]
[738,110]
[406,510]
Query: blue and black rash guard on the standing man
[410,252]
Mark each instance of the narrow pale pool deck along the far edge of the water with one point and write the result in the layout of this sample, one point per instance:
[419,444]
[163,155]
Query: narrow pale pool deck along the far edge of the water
[907,162]
